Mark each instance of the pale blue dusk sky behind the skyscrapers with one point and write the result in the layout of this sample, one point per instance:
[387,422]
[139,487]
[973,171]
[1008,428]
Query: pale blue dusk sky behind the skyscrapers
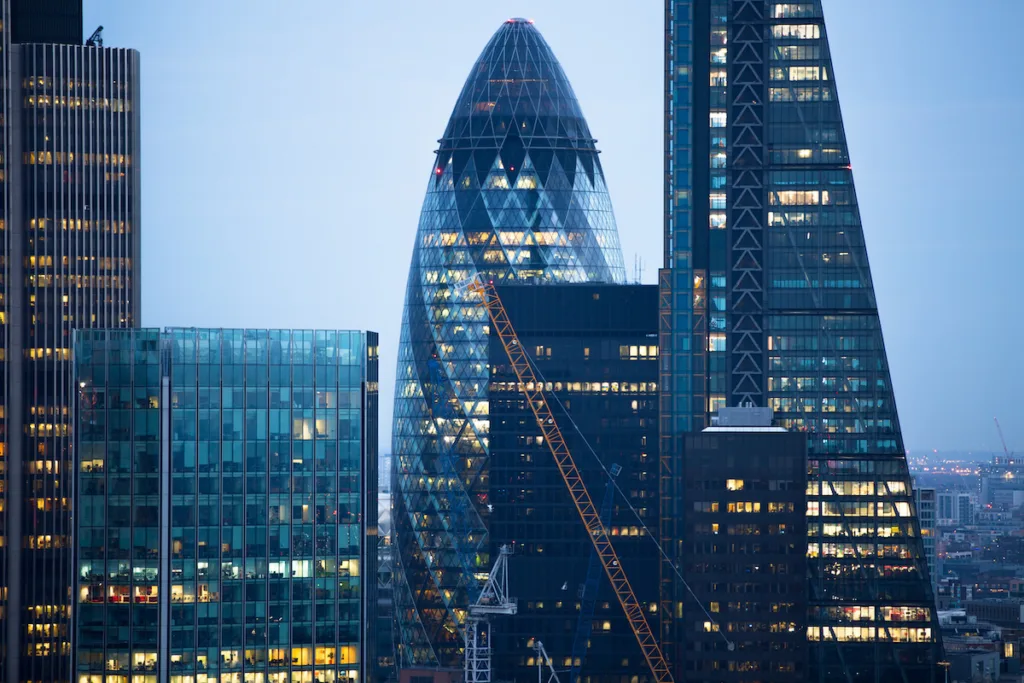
[287,147]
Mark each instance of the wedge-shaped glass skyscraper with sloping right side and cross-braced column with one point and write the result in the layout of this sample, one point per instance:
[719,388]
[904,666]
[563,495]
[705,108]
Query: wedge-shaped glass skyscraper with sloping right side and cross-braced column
[767,301]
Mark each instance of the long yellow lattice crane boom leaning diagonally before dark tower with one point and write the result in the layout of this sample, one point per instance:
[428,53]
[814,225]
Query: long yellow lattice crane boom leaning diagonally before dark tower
[574,482]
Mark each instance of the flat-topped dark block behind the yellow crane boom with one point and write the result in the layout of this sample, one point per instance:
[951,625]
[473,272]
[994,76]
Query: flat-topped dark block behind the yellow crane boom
[595,347]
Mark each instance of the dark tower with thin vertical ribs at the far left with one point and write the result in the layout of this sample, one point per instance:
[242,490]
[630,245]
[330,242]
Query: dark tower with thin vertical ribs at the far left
[69,196]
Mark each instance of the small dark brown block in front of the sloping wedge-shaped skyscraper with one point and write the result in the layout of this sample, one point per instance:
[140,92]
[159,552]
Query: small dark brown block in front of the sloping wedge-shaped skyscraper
[743,500]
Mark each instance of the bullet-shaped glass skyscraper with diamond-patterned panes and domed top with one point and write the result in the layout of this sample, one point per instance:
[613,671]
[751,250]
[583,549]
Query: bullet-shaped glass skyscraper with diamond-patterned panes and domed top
[517,195]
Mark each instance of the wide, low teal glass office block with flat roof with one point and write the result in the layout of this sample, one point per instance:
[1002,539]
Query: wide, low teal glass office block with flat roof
[227,508]
